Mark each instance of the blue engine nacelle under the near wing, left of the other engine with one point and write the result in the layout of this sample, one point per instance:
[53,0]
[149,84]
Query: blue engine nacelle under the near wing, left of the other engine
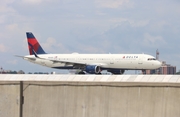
[92,69]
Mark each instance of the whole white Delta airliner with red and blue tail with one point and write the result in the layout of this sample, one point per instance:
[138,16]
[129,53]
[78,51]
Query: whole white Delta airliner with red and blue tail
[89,63]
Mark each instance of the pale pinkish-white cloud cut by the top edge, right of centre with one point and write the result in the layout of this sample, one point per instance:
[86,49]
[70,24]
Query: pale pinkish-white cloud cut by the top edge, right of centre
[111,3]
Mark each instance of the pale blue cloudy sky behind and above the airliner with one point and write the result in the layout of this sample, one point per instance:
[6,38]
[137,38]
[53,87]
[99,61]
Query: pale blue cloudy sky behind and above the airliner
[89,26]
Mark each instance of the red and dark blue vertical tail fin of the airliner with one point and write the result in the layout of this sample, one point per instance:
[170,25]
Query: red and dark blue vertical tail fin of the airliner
[34,45]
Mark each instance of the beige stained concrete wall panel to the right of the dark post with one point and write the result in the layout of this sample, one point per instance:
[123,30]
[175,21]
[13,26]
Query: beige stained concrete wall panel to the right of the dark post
[101,100]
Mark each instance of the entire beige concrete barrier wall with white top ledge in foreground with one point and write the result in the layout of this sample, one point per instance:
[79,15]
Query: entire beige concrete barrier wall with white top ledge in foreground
[104,96]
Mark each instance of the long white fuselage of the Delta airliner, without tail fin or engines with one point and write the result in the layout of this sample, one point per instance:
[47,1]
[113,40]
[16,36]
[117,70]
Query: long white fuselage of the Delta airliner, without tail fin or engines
[105,61]
